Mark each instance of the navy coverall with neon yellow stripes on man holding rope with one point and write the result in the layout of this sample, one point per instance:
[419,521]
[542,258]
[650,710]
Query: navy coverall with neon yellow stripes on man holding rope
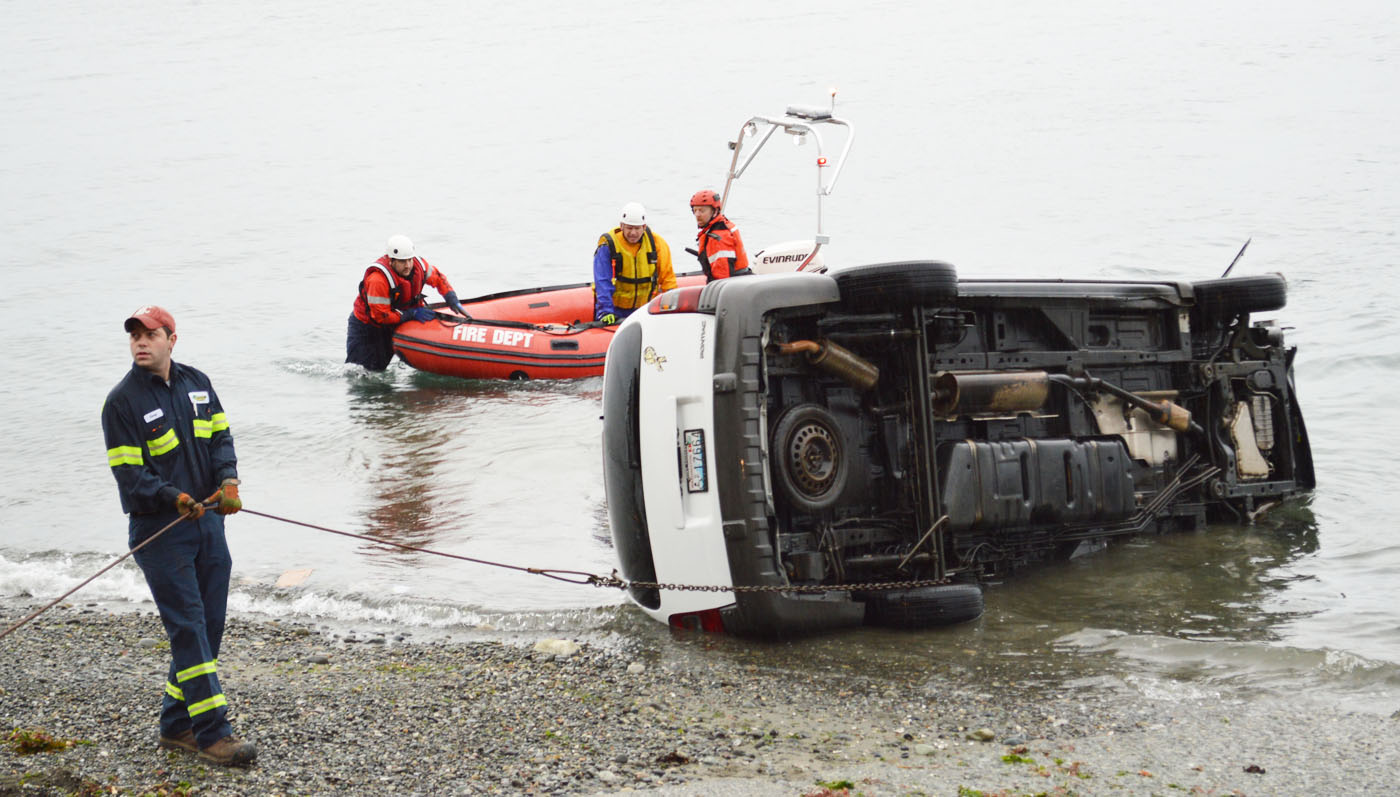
[164,441]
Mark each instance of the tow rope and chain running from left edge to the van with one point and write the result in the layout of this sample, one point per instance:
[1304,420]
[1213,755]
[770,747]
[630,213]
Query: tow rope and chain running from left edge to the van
[559,575]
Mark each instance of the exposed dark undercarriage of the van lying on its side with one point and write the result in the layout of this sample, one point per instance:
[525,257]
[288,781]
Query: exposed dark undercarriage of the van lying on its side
[929,429]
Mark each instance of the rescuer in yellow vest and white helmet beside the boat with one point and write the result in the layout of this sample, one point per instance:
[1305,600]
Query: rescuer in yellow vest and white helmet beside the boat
[631,265]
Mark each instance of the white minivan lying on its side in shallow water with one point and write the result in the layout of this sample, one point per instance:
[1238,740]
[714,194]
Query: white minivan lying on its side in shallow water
[794,453]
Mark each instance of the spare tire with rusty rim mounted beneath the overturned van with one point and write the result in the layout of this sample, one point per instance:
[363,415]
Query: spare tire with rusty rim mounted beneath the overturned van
[811,457]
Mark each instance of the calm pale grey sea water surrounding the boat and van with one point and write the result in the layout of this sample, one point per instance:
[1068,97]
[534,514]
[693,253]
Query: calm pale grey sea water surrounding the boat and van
[241,163]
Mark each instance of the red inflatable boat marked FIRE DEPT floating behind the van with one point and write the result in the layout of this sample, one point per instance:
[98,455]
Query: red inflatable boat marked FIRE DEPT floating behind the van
[533,334]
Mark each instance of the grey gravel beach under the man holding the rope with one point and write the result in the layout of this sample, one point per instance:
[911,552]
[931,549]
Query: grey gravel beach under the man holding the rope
[387,716]
